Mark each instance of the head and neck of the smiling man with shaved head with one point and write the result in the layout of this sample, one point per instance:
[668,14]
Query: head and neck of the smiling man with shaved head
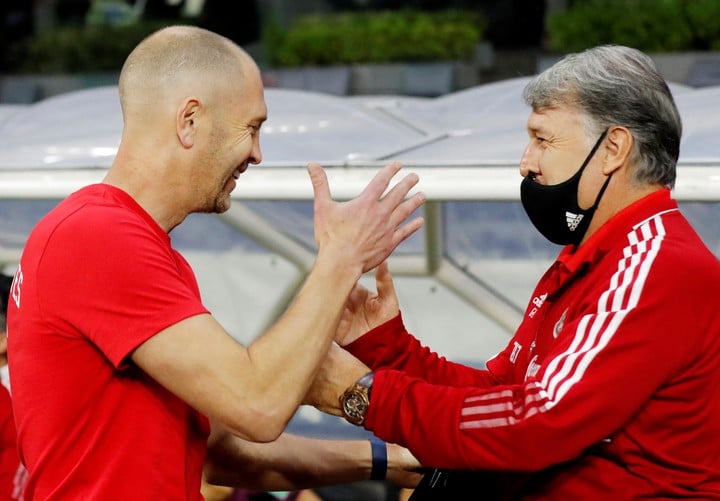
[192,104]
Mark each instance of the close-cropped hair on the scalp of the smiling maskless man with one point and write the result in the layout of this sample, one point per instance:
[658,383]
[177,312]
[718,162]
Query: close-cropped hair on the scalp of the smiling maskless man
[177,61]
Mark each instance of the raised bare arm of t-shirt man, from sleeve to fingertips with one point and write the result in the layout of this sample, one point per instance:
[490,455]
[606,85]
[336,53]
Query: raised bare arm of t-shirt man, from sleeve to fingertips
[265,382]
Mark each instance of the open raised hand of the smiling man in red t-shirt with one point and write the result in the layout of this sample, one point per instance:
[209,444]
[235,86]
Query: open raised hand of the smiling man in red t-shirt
[369,227]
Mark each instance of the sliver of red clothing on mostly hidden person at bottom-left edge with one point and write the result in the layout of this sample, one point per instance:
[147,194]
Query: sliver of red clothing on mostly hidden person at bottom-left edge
[12,472]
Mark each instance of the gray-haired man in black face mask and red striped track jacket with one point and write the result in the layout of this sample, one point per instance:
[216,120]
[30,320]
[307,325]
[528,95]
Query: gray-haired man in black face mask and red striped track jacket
[610,388]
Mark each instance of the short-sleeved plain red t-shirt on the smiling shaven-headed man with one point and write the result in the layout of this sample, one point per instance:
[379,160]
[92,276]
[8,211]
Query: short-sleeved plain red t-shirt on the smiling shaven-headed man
[97,278]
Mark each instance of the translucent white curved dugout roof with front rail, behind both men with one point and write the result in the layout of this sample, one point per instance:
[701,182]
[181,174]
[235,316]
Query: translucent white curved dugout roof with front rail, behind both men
[46,143]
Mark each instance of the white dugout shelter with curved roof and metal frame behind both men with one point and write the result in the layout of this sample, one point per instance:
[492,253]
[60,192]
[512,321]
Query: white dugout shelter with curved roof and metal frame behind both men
[463,282]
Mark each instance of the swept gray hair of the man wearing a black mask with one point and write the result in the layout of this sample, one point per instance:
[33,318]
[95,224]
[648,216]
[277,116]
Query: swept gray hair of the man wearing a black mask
[616,85]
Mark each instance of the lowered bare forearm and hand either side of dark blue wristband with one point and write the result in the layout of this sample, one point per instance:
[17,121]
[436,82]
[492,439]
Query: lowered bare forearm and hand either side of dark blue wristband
[293,462]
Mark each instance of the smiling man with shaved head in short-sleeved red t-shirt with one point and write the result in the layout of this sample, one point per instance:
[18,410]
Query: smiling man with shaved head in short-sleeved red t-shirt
[124,385]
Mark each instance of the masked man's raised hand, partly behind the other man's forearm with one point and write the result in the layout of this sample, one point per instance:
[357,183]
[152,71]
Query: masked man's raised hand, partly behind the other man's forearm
[364,310]
